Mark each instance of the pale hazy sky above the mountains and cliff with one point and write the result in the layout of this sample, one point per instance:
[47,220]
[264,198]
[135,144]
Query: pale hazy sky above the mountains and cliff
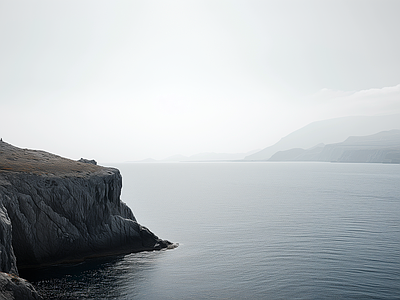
[126,80]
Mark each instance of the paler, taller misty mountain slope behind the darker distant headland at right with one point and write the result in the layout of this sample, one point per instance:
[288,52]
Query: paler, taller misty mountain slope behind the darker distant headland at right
[329,132]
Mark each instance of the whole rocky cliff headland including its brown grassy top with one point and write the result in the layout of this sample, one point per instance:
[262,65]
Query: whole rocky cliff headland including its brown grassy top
[53,209]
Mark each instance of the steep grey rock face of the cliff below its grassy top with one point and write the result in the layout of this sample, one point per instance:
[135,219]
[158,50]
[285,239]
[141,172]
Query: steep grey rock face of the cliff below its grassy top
[69,218]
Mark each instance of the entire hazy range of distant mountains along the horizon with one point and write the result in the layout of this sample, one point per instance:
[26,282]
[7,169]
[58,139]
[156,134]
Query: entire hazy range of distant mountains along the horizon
[305,143]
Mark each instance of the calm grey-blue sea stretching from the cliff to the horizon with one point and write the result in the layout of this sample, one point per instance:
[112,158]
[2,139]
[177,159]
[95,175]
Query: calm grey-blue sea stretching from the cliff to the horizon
[251,231]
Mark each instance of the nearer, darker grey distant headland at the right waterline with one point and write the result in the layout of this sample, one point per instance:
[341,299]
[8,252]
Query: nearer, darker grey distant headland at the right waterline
[382,147]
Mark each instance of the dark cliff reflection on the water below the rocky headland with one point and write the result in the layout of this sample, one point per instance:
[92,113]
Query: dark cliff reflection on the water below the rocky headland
[105,278]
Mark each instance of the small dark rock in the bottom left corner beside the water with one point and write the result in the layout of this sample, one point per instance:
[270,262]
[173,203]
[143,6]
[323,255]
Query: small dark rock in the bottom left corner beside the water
[15,288]
